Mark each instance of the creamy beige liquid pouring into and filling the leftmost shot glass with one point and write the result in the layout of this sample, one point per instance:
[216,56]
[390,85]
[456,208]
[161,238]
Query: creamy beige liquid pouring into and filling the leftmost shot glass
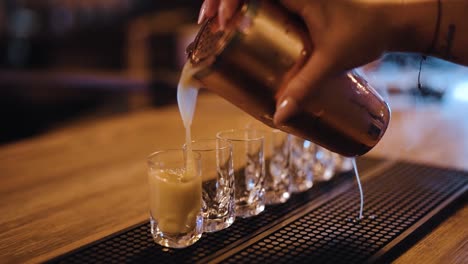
[177,194]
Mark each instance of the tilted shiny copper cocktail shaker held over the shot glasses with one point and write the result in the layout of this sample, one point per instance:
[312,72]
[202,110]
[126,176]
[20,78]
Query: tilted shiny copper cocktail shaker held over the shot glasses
[258,52]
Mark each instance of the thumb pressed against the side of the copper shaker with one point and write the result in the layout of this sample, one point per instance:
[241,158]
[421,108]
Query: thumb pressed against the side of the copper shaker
[301,86]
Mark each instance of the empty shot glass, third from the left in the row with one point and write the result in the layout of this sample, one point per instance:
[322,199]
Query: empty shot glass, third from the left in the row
[249,170]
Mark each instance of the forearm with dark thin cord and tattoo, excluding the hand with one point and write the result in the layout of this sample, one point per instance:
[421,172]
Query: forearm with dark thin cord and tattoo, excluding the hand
[417,29]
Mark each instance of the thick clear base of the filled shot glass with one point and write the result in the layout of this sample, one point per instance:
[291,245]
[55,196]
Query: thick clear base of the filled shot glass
[176,240]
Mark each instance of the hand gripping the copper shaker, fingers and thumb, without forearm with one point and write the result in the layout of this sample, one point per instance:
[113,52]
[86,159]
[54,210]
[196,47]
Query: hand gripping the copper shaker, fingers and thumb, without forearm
[344,34]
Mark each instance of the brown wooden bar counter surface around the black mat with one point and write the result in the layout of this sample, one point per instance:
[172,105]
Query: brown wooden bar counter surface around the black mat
[84,181]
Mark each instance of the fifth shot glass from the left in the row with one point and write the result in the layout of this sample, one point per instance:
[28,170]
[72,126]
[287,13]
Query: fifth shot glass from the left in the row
[301,163]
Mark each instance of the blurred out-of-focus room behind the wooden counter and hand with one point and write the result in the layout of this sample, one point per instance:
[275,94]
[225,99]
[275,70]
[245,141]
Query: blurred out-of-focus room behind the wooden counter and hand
[68,60]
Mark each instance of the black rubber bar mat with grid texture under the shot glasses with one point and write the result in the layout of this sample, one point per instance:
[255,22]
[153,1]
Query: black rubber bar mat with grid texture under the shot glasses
[403,202]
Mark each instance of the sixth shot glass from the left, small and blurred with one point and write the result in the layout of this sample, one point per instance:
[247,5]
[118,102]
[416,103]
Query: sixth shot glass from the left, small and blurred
[324,164]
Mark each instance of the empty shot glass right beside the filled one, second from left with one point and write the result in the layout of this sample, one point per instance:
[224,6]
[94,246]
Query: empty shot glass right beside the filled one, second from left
[217,172]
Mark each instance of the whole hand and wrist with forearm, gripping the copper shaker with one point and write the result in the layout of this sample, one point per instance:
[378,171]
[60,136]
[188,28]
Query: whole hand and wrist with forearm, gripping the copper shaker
[349,33]
